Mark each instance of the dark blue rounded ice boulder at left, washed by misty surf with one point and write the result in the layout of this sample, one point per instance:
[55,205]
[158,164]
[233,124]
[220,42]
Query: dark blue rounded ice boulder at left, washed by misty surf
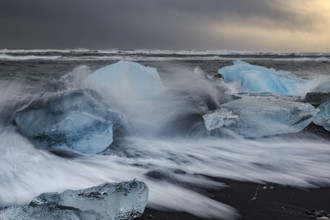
[71,120]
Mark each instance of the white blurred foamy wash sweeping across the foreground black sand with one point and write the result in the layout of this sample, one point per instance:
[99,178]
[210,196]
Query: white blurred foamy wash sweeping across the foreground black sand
[27,172]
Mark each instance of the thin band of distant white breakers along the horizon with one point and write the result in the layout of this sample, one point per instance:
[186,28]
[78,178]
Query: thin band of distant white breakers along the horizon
[153,55]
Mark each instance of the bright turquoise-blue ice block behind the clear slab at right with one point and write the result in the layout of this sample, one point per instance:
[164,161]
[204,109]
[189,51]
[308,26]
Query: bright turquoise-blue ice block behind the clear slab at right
[253,78]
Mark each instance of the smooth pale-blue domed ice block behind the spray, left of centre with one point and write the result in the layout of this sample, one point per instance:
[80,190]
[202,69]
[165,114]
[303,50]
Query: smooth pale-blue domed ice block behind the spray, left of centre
[125,81]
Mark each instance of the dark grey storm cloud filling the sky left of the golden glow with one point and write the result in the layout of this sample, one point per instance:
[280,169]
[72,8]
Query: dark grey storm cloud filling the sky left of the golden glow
[134,23]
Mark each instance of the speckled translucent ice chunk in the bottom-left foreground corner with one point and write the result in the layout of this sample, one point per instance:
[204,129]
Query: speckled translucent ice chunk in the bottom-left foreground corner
[115,201]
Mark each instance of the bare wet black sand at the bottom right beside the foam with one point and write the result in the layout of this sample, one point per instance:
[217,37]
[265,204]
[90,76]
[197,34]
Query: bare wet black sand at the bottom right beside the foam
[265,201]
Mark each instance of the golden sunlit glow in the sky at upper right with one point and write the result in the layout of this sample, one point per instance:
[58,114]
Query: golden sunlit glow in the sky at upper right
[307,33]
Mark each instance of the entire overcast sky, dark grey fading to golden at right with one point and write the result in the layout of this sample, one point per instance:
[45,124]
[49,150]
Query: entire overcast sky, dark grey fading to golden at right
[260,25]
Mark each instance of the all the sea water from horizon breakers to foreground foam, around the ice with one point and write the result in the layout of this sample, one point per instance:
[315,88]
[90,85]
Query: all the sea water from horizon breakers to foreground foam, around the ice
[171,151]
